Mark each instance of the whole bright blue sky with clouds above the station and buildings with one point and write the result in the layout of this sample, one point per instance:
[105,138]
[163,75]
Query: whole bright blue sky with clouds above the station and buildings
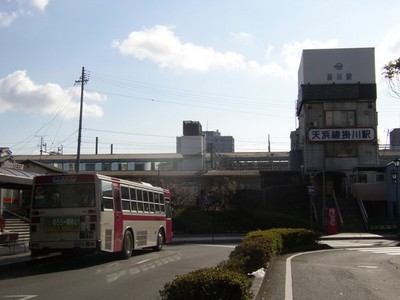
[150,65]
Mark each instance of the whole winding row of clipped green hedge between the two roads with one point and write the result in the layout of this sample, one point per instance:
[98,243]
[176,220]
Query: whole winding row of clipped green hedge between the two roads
[228,280]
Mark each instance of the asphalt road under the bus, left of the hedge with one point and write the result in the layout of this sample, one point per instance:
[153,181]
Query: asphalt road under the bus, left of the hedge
[106,276]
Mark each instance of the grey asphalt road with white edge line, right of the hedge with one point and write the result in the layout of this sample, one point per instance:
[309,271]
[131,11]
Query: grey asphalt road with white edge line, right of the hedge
[367,270]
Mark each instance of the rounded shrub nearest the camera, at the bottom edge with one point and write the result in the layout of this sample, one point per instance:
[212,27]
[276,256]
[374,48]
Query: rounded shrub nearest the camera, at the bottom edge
[208,283]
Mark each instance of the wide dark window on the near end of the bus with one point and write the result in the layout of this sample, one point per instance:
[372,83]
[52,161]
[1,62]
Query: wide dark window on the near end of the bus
[64,196]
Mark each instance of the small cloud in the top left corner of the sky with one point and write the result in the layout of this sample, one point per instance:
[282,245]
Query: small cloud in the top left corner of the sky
[19,9]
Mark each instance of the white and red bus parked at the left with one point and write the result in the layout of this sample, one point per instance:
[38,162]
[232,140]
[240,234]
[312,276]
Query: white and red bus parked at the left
[92,212]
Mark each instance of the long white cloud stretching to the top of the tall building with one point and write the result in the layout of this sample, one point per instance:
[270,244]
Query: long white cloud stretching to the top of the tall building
[161,45]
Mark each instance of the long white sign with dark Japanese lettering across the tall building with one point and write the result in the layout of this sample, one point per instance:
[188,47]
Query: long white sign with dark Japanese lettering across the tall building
[341,134]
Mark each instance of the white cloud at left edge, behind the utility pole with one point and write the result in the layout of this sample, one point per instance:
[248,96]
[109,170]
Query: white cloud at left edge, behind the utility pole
[20,93]
